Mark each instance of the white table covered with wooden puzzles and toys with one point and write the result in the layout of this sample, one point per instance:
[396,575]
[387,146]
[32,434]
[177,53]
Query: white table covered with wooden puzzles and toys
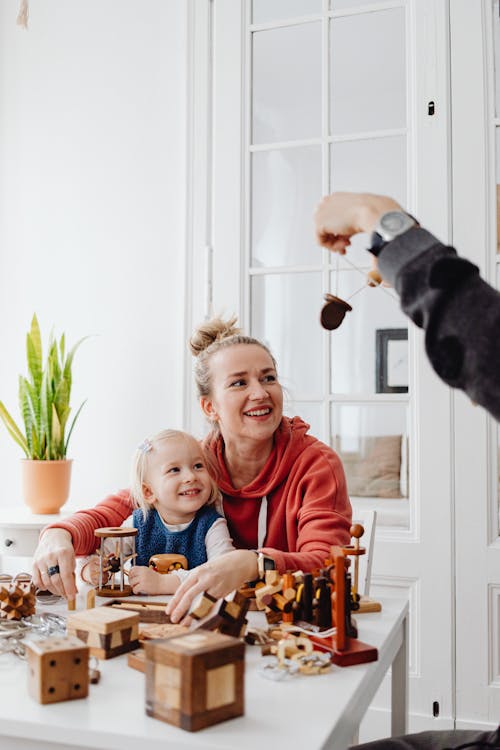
[306,711]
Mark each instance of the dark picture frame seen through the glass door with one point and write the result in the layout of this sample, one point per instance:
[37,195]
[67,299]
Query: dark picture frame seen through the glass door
[391,360]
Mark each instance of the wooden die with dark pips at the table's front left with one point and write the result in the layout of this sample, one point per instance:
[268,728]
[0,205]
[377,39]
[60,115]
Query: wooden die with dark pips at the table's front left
[58,669]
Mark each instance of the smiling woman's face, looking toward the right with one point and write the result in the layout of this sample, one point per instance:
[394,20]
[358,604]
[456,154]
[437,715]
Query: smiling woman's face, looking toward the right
[246,399]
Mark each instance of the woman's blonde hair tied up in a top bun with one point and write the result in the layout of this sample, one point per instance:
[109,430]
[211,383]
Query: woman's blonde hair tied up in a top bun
[209,338]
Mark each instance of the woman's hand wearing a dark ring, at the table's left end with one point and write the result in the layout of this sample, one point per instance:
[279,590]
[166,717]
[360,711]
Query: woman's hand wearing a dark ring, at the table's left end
[55,549]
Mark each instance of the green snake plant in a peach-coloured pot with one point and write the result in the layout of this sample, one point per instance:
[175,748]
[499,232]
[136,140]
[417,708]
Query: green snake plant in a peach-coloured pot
[44,401]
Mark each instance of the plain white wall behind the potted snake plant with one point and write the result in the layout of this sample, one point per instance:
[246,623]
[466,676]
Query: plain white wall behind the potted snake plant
[92,183]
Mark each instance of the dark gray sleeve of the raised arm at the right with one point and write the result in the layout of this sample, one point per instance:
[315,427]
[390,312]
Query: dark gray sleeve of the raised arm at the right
[460,313]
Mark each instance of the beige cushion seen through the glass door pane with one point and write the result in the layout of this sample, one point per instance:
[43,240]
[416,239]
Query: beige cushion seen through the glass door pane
[374,471]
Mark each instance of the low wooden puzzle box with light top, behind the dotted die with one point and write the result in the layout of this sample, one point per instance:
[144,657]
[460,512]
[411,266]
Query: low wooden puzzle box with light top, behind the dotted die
[108,632]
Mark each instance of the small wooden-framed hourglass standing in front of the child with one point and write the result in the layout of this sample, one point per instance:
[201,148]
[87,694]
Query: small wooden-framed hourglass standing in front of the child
[113,563]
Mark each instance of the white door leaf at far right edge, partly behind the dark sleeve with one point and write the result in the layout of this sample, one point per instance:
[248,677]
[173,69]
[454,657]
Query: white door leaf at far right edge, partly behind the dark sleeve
[475,78]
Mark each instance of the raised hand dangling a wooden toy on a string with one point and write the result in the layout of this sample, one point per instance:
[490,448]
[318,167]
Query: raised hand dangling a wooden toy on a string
[340,215]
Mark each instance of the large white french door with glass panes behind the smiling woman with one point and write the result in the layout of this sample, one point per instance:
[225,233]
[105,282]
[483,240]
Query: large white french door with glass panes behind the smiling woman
[307,96]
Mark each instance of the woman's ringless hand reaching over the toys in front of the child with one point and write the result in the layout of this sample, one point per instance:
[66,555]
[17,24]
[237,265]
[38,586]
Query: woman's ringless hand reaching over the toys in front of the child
[217,577]
